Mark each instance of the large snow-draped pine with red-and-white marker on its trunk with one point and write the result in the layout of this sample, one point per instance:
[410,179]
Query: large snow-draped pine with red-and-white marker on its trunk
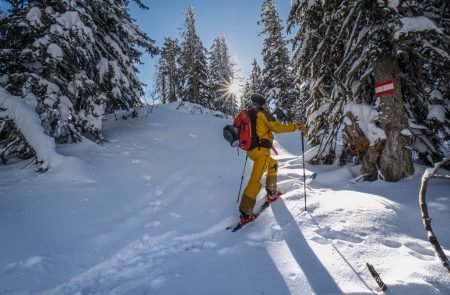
[343,49]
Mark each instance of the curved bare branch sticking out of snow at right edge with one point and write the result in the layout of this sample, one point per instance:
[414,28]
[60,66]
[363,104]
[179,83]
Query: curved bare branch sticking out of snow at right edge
[426,219]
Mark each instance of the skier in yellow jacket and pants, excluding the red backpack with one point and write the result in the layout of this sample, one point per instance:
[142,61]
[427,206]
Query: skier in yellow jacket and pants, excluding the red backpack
[262,161]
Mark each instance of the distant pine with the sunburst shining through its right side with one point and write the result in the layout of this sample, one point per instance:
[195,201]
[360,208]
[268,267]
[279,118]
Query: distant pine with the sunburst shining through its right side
[221,77]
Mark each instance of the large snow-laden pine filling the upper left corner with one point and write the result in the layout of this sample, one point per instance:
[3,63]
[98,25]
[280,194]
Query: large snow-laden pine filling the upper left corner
[45,48]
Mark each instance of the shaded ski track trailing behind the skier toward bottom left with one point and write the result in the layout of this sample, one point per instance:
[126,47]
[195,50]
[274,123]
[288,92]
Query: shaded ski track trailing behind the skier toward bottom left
[143,265]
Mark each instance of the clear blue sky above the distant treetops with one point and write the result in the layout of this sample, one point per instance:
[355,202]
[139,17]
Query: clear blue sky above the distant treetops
[236,19]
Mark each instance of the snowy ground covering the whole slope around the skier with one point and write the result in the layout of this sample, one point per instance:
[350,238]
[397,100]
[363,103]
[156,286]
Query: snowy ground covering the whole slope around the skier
[146,213]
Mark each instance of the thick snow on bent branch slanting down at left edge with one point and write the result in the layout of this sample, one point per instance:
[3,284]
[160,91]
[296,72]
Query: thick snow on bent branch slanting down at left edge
[28,123]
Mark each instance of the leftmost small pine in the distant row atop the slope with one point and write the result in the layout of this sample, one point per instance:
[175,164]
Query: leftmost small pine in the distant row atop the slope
[167,78]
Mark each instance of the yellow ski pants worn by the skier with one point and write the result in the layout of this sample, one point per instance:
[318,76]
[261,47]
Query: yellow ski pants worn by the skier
[262,162]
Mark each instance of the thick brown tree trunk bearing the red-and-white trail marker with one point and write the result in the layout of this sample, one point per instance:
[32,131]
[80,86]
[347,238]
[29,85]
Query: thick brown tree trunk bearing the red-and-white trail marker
[395,160]
